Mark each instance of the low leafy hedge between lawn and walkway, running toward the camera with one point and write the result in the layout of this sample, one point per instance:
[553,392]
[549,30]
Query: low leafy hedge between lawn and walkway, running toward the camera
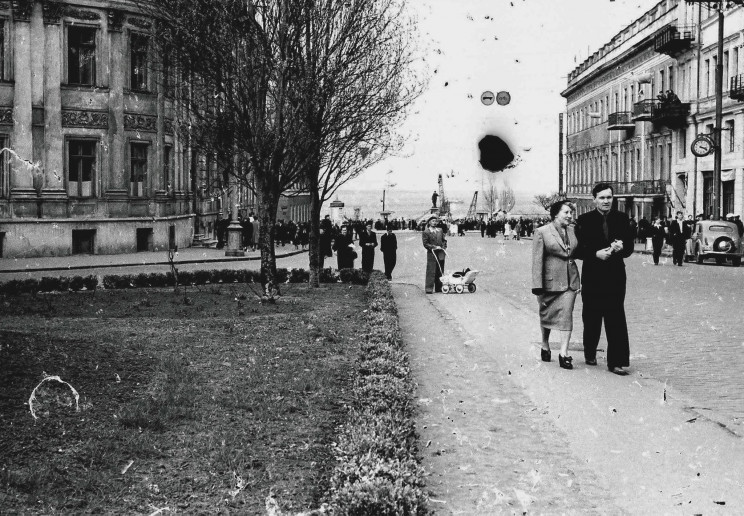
[379,470]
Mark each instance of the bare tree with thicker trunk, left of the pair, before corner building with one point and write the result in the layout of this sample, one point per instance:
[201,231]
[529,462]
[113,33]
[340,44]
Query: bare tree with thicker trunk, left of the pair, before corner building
[237,71]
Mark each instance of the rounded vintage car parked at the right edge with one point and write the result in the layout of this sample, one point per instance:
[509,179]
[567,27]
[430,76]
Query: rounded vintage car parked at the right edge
[717,239]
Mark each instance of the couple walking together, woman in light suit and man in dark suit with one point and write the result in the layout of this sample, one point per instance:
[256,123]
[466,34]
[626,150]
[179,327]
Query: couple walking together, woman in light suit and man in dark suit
[601,239]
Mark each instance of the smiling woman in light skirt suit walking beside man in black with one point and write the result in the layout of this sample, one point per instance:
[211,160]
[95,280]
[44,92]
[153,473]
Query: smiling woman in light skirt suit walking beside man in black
[555,278]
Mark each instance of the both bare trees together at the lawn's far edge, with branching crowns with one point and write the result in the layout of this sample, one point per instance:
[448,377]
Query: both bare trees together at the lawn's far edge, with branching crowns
[288,93]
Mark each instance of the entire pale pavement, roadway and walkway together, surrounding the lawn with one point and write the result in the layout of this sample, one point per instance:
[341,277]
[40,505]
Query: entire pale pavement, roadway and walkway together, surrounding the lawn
[503,432]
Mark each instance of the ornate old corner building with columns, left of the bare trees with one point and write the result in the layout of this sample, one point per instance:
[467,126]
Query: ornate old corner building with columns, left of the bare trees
[98,162]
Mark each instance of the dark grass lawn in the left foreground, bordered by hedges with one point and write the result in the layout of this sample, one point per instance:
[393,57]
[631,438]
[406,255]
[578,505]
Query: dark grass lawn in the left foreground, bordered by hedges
[204,402]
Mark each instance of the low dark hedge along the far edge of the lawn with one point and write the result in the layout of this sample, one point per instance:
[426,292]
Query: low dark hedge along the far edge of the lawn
[159,279]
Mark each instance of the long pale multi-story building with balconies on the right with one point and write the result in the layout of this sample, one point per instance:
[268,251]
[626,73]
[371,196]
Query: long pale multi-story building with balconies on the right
[635,106]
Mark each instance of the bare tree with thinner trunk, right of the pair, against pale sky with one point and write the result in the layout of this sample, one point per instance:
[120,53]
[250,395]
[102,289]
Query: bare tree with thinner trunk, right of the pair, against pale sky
[357,84]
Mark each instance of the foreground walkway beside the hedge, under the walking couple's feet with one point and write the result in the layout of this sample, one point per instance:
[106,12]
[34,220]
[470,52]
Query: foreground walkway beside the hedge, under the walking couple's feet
[504,433]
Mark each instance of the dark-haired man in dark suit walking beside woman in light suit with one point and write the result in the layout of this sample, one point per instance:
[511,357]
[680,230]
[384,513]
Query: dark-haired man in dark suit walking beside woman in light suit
[604,240]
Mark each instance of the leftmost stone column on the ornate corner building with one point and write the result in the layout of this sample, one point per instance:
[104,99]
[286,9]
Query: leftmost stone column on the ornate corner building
[20,176]
